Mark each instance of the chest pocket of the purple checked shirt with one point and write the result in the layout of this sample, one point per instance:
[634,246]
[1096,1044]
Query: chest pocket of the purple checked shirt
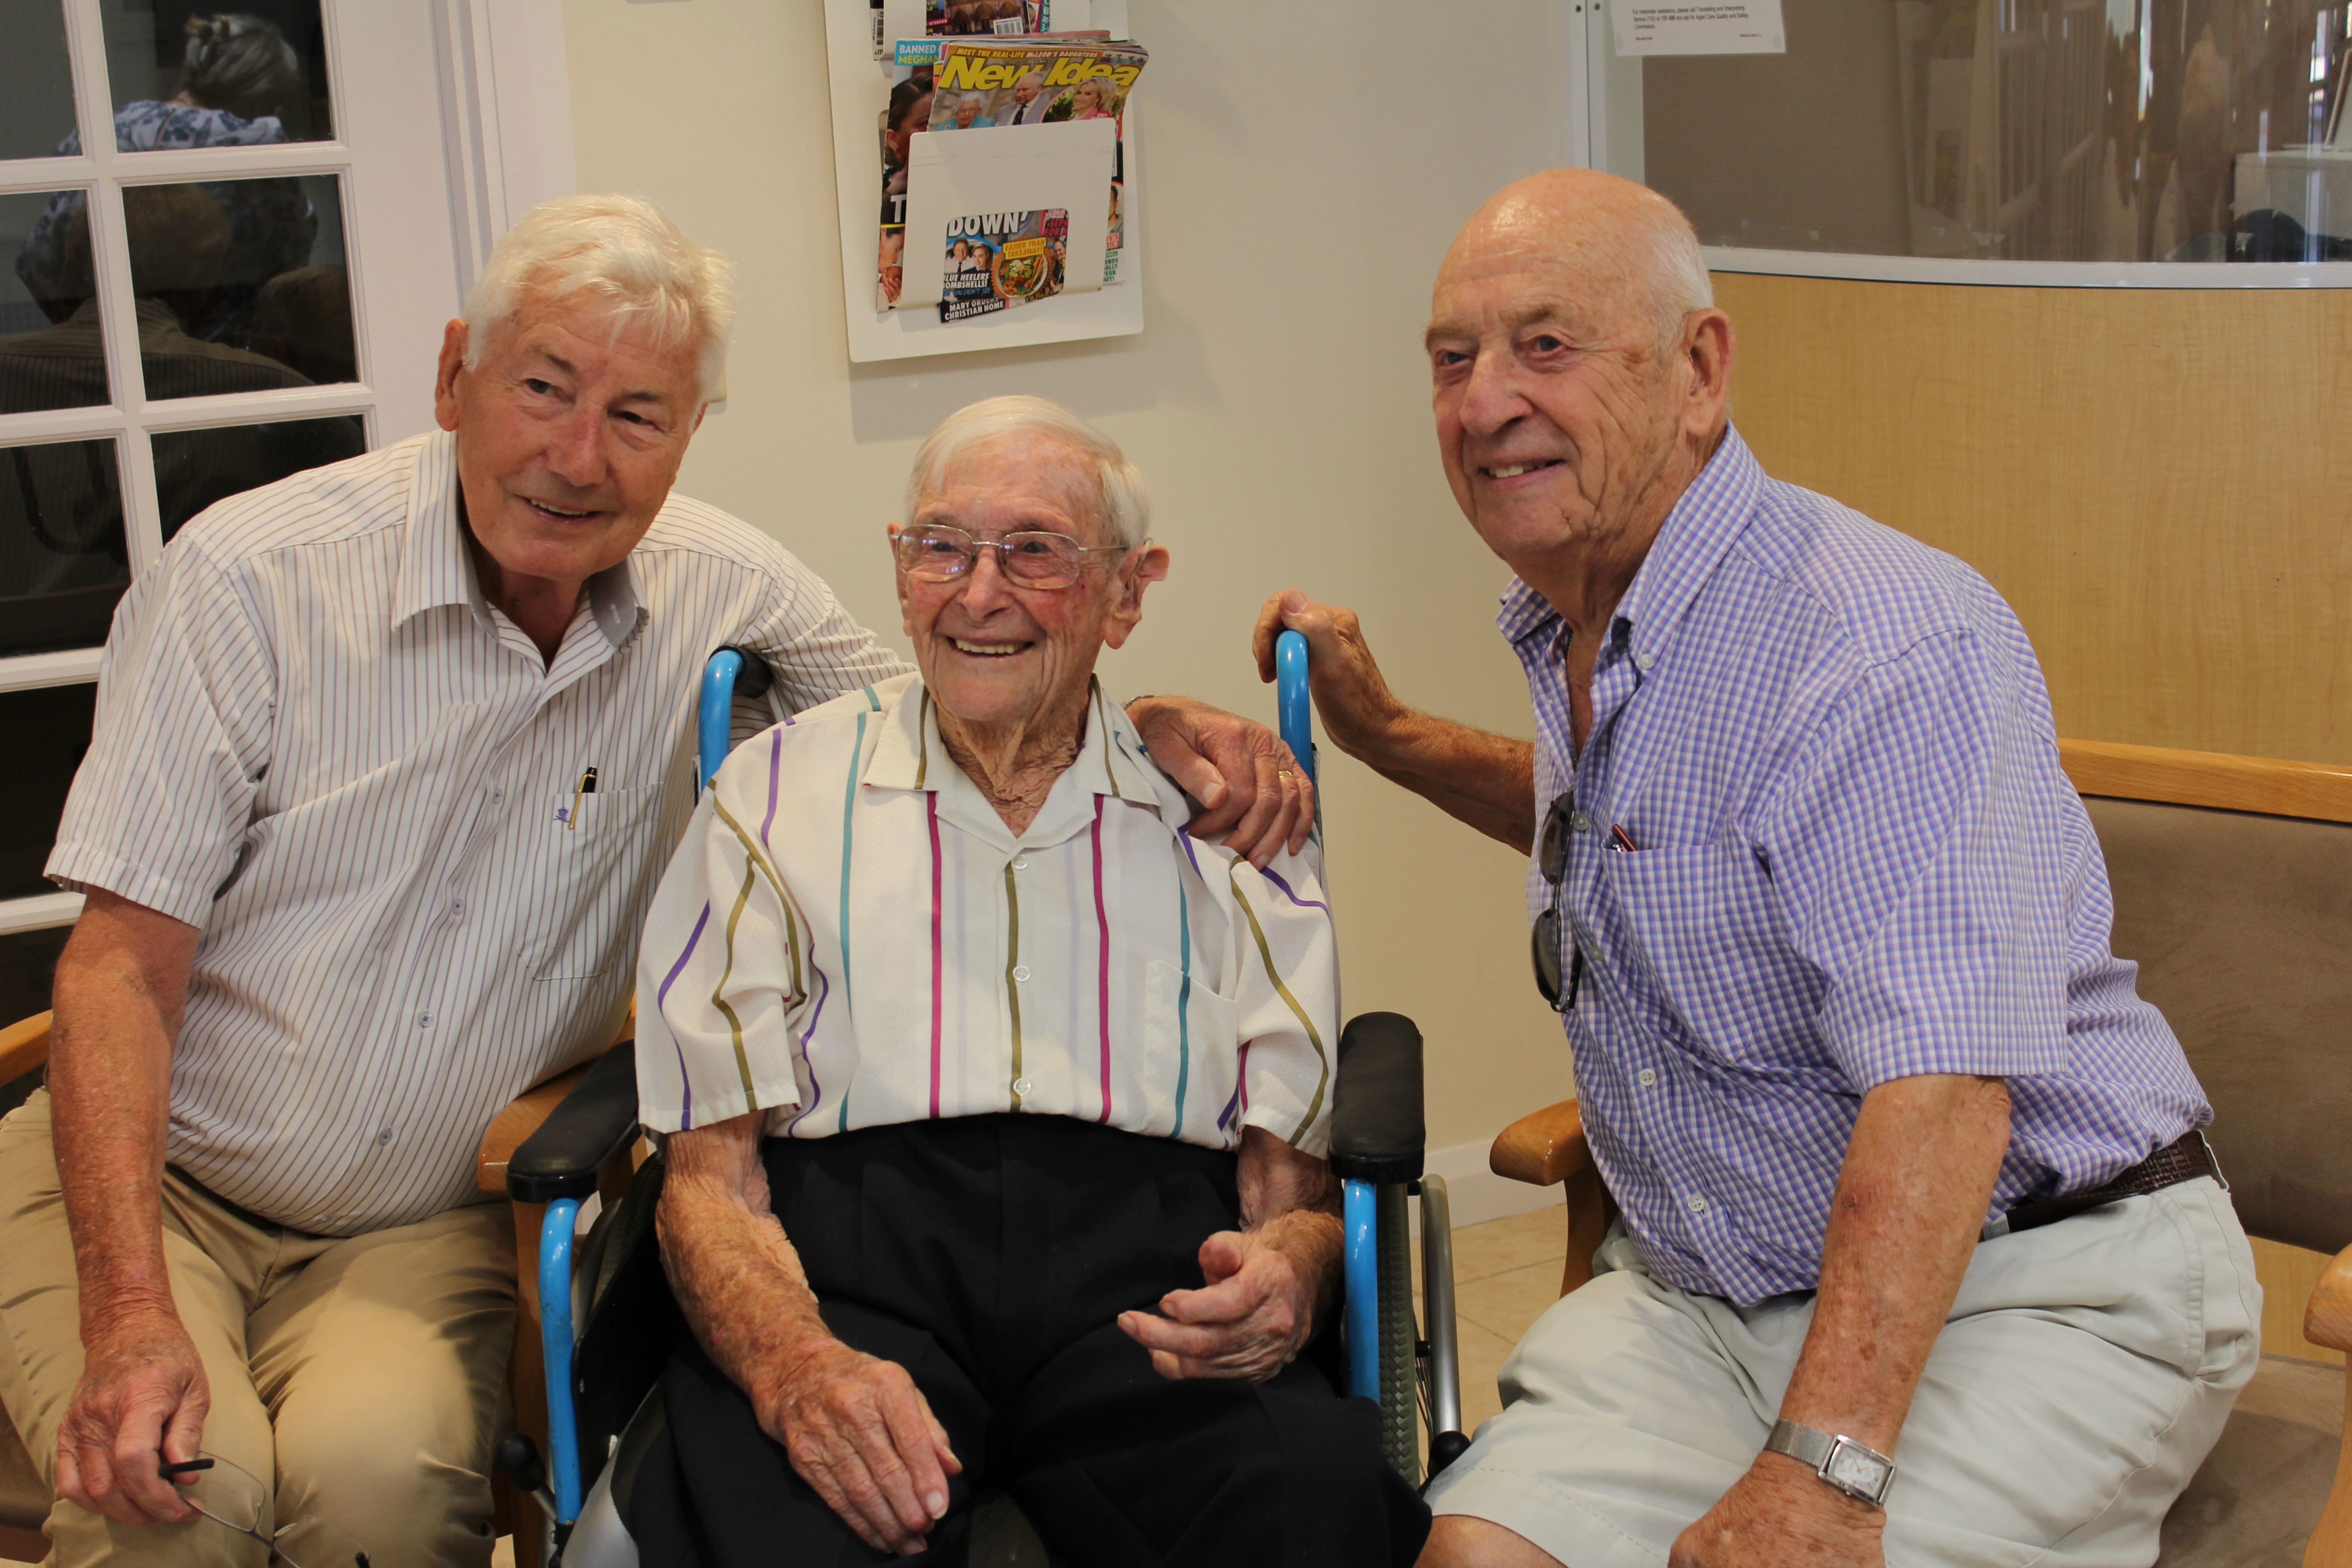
[1704,927]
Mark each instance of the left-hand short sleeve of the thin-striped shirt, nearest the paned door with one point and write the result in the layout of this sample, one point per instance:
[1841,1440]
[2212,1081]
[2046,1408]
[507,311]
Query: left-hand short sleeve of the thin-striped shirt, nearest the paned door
[182,739]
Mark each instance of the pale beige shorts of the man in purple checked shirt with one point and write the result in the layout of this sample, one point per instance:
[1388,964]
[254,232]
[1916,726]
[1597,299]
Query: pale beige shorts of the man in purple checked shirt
[2078,1383]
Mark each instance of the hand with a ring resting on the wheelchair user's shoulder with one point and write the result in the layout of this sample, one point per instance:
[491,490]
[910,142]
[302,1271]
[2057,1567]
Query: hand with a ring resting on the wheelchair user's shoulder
[1250,786]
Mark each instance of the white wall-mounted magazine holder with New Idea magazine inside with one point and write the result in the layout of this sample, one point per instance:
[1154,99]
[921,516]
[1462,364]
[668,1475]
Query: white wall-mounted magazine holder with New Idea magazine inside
[1005,168]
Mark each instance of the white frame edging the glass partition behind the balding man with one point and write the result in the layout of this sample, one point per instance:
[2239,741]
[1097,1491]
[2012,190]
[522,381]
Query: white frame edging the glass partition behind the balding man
[1605,133]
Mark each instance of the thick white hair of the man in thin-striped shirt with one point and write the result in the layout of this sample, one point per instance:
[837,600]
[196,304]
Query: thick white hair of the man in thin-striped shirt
[629,257]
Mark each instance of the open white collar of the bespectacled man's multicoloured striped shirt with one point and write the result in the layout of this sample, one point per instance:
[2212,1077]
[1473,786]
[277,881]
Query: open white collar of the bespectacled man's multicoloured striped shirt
[1111,763]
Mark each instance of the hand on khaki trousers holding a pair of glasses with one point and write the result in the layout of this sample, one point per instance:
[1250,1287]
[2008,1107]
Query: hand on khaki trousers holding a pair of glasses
[140,1407]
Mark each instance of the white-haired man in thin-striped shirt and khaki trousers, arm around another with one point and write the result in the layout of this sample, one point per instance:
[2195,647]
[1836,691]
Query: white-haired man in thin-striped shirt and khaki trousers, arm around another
[387,763]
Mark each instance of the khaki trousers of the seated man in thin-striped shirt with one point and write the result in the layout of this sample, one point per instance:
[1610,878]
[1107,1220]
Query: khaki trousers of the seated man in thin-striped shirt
[363,1379]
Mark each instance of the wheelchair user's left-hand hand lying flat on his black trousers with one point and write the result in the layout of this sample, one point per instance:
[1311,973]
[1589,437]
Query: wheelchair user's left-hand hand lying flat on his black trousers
[864,1438]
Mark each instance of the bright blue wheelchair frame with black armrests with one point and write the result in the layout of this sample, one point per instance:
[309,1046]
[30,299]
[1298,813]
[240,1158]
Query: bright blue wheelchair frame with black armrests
[1377,1151]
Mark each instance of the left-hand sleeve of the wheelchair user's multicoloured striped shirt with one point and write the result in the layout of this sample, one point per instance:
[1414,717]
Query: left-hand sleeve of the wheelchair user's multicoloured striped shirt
[719,974]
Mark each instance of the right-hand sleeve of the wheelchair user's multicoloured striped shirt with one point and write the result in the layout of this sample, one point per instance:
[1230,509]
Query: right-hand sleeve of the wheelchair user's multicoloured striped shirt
[1288,1005]
